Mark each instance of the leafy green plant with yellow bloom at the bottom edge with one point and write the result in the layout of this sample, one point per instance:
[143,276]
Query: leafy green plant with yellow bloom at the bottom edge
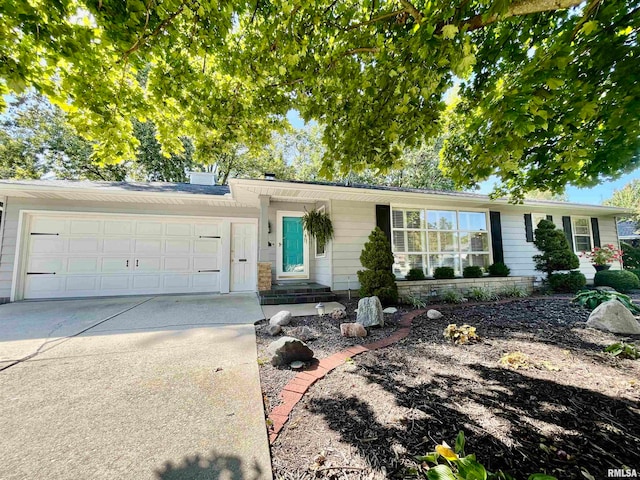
[445,463]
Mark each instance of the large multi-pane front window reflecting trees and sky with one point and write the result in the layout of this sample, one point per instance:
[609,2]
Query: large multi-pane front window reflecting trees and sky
[427,239]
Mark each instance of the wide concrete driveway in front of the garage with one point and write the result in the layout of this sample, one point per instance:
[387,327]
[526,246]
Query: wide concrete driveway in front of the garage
[132,388]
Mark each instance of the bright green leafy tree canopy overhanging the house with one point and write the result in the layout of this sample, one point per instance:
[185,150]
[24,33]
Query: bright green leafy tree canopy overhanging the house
[549,92]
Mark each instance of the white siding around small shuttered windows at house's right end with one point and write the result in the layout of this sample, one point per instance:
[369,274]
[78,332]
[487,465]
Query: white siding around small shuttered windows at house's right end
[518,253]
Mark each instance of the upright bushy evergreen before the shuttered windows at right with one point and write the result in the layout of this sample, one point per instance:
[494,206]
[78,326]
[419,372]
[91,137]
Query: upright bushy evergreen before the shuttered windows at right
[555,251]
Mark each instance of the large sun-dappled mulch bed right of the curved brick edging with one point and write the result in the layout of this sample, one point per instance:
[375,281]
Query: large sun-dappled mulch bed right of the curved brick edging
[571,408]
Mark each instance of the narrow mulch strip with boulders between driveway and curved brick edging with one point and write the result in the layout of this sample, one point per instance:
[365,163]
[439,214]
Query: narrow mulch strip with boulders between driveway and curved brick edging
[329,341]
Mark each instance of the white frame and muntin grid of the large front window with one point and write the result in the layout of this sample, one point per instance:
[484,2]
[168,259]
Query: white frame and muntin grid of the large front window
[457,231]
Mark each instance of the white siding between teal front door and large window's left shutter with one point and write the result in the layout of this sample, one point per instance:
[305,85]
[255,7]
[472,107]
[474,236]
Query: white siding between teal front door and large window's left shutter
[352,223]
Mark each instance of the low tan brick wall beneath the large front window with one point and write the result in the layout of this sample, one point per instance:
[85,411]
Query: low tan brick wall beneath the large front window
[435,288]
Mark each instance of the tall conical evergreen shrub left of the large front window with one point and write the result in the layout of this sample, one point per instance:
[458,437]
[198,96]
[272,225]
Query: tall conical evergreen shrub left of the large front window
[378,279]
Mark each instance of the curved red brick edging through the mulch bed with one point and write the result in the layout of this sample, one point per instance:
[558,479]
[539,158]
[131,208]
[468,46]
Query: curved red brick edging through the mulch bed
[293,391]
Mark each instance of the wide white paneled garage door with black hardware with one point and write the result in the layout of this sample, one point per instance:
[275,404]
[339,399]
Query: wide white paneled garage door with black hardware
[105,255]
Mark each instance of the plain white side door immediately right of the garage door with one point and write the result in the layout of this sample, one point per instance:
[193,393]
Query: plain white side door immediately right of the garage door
[243,257]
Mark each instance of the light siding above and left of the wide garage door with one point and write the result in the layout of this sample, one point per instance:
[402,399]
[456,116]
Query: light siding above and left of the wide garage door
[14,205]
